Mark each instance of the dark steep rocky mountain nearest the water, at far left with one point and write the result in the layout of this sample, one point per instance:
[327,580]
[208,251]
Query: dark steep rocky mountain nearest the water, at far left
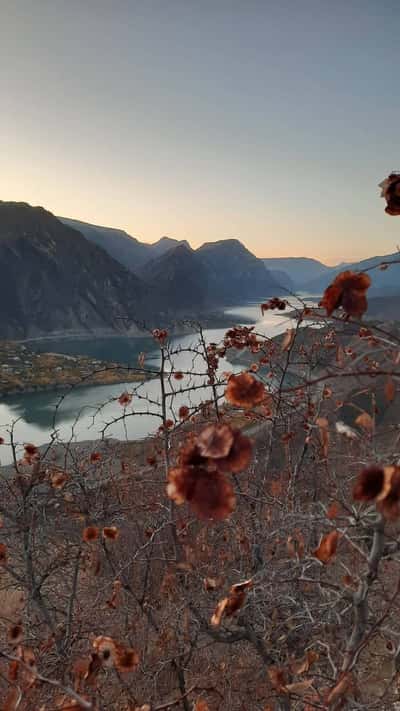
[54,280]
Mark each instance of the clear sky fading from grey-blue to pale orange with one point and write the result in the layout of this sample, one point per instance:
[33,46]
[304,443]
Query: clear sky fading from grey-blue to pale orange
[271,121]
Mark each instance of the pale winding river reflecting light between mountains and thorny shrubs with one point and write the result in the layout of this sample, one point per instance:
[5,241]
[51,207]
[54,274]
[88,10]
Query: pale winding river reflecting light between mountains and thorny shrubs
[84,413]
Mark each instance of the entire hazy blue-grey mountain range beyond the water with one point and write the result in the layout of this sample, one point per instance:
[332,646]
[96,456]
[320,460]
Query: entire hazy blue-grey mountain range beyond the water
[66,277]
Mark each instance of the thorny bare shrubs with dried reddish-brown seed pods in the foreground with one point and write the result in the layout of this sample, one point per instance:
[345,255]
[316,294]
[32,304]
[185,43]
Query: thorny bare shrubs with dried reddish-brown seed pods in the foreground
[249,563]
